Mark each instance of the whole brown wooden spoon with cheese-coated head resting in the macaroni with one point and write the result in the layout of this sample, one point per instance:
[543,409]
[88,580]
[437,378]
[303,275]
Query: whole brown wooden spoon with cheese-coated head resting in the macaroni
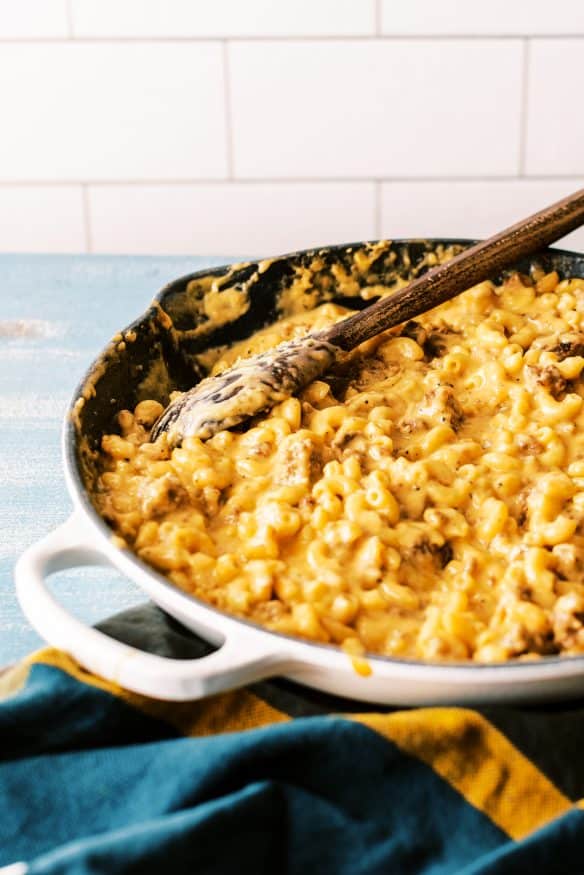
[257,383]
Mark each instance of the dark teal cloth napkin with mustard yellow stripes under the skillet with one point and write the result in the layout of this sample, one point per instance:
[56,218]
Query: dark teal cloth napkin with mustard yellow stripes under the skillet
[275,778]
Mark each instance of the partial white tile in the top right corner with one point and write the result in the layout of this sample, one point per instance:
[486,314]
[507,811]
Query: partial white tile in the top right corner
[497,17]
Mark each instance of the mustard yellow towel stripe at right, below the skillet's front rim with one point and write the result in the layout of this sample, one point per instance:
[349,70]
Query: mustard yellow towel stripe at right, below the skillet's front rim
[479,762]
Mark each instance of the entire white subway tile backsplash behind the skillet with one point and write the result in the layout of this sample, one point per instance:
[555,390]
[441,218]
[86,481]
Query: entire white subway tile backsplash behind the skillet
[253,126]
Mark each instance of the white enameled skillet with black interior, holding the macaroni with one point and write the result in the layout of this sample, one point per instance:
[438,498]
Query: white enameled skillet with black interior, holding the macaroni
[154,353]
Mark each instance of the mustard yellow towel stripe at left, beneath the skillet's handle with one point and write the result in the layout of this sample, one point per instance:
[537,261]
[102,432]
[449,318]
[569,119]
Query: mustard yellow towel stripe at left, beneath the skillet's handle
[226,712]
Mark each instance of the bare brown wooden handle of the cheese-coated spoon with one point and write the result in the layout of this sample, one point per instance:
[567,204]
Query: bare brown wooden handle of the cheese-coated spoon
[478,263]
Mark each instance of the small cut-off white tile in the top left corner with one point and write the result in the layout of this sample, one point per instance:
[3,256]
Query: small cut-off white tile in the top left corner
[21,19]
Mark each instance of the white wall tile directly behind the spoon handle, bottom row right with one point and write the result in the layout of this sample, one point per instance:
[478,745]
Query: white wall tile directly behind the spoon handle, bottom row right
[469,209]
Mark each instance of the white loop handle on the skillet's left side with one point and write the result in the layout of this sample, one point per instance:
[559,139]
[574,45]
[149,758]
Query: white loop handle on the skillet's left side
[240,660]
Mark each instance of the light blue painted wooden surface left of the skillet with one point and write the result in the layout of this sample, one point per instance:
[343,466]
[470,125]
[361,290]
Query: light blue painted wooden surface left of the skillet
[56,314]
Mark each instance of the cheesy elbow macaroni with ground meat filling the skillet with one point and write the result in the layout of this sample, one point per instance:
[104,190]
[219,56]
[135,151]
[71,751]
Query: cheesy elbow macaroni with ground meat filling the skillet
[425,499]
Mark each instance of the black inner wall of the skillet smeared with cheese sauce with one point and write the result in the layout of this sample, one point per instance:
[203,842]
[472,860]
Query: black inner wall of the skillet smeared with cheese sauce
[157,353]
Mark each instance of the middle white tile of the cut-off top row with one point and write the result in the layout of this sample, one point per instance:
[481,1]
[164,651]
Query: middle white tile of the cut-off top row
[184,18]
